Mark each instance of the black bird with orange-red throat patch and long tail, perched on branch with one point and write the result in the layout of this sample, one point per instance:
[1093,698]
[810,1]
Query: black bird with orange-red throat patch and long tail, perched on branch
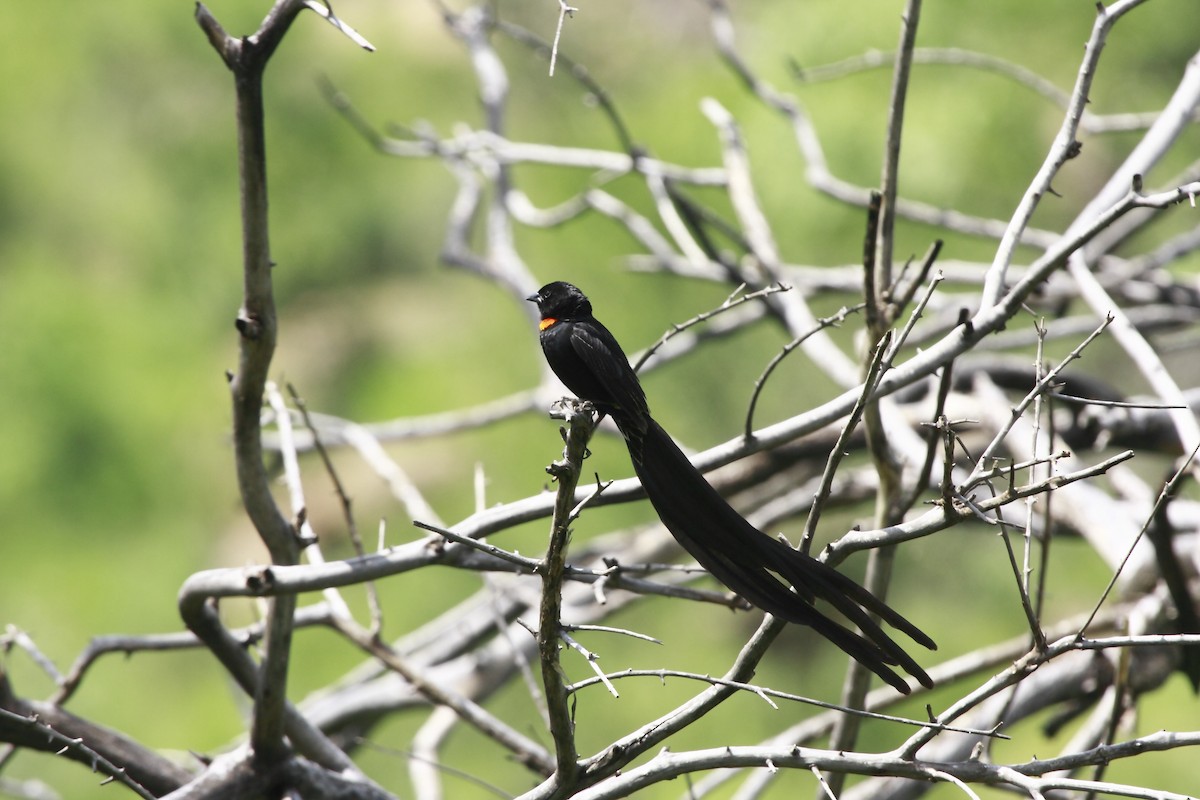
[590,362]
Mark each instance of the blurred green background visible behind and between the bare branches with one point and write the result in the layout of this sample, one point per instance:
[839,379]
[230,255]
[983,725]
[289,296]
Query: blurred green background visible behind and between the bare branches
[121,280]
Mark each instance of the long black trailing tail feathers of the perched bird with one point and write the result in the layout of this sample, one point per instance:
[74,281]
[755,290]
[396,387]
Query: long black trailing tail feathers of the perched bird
[748,562]
